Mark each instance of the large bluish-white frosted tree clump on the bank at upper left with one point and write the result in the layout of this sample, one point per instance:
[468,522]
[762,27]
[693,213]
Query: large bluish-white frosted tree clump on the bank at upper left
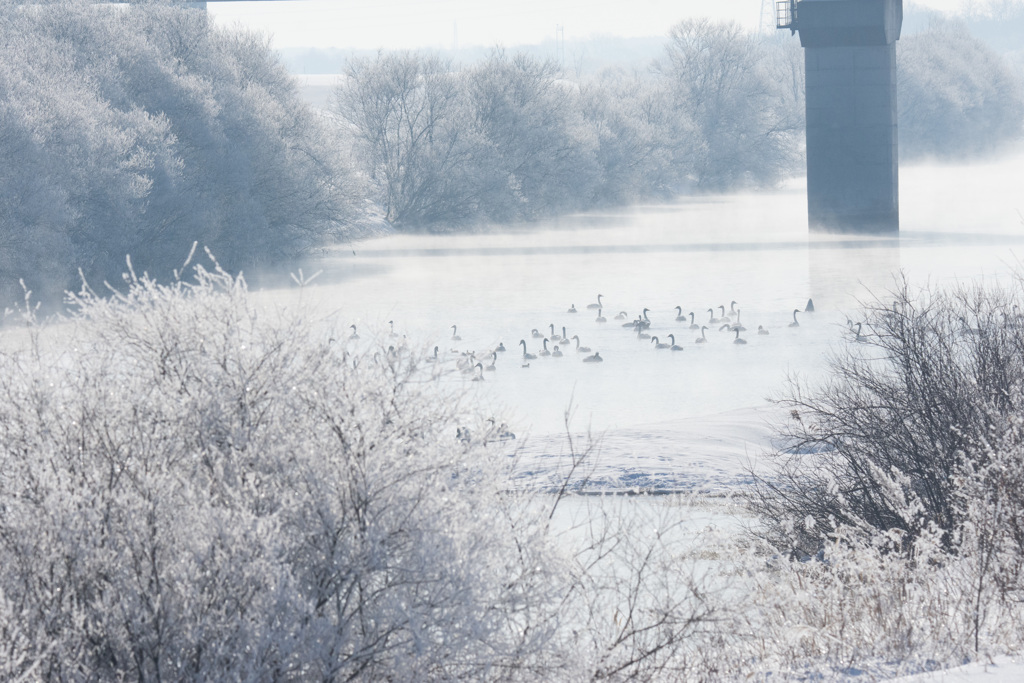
[142,130]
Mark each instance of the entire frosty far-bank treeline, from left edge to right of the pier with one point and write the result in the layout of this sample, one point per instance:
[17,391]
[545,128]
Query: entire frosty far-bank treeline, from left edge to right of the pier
[142,130]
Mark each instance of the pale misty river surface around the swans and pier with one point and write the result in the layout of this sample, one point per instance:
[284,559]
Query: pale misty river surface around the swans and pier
[666,417]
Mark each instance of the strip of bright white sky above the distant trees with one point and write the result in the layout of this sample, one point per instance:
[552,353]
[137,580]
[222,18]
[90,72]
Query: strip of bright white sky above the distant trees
[439,24]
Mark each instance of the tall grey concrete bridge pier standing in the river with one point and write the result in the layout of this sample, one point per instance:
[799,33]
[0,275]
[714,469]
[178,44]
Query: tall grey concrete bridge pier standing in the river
[852,145]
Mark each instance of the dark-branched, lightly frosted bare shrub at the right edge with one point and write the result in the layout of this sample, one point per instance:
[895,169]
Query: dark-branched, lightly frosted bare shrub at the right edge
[931,378]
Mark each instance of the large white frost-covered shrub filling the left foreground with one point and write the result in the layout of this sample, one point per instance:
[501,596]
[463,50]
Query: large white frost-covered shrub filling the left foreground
[195,488]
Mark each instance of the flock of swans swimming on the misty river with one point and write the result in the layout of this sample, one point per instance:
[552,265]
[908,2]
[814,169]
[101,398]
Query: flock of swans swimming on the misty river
[556,343]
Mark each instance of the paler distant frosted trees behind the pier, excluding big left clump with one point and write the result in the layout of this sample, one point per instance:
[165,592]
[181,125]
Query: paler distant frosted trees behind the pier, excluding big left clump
[511,138]
